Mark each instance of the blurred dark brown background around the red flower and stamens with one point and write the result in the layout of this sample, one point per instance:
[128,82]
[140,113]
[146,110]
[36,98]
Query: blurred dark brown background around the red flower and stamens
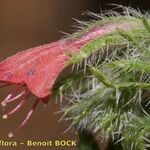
[29,23]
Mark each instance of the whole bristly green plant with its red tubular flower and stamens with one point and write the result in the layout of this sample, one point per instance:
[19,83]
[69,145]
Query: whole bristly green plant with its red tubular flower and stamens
[107,92]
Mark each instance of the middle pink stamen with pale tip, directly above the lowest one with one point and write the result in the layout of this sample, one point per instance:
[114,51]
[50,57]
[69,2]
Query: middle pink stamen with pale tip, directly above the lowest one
[5,116]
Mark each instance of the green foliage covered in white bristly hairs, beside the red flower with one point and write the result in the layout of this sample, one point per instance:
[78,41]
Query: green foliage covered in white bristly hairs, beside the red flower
[112,97]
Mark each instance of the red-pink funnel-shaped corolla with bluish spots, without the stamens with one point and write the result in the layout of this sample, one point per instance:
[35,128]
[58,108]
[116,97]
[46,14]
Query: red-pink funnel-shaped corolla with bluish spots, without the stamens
[39,67]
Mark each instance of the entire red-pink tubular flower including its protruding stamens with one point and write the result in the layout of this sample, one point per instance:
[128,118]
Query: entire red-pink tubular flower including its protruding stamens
[35,70]
